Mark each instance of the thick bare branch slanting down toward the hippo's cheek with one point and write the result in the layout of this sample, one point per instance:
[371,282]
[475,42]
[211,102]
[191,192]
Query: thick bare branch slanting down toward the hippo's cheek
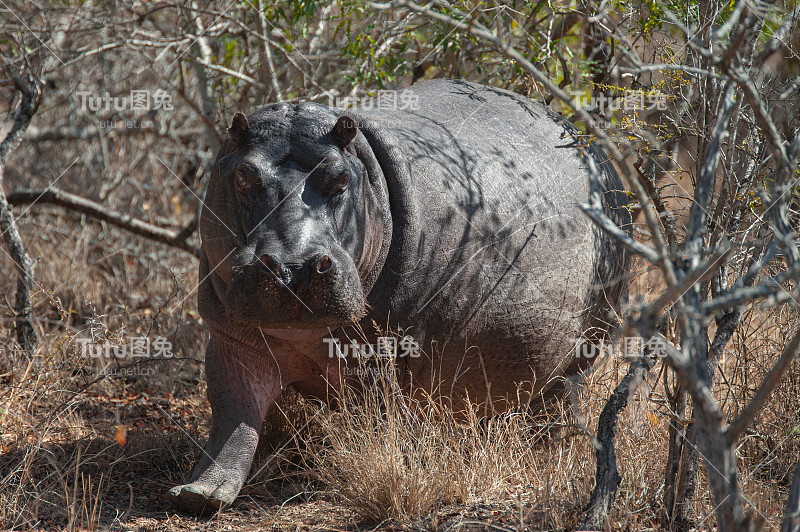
[54,196]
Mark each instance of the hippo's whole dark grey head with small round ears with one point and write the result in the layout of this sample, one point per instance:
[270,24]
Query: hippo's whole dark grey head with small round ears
[293,225]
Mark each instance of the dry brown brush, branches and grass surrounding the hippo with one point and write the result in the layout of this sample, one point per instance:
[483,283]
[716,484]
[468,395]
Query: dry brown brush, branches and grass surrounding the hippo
[93,443]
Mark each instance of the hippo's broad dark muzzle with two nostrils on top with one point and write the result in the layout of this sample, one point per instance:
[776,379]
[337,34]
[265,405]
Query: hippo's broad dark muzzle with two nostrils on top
[324,295]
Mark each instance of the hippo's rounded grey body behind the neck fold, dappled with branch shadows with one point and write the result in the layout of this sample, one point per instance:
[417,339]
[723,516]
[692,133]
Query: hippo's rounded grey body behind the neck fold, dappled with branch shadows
[491,260]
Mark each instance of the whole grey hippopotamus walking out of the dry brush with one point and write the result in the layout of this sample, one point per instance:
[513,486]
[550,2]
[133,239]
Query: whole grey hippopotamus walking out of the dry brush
[449,217]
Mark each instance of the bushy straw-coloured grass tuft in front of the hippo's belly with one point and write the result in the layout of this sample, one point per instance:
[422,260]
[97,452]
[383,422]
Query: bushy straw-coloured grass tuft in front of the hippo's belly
[388,456]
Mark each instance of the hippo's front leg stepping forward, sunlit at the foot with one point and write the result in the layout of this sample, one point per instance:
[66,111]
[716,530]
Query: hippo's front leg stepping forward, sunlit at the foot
[241,387]
